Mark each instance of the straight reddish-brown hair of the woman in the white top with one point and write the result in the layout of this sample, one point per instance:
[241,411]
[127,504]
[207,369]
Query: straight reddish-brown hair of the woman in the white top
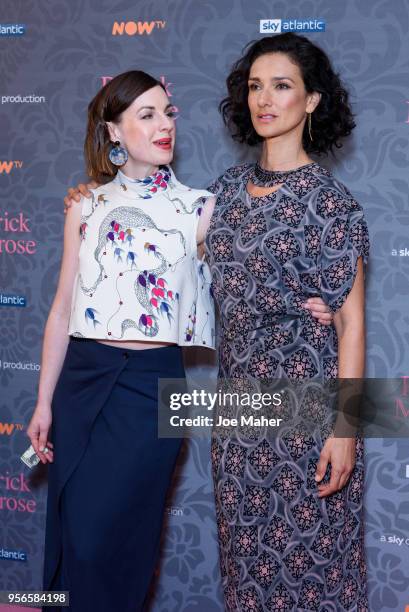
[108,105]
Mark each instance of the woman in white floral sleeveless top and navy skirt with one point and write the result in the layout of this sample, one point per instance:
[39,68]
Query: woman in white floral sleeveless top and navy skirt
[131,293]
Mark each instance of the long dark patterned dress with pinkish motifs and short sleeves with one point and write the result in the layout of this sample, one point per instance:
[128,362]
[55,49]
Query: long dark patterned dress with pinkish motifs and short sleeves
[283,548]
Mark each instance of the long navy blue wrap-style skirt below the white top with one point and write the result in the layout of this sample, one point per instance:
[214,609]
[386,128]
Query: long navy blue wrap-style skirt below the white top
[107,485]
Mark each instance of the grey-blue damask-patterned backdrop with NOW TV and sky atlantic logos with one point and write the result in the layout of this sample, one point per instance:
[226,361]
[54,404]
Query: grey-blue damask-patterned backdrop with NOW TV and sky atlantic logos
[54,57]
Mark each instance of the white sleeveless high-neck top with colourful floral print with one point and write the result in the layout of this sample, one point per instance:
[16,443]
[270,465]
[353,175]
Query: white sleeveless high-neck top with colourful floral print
[139,277]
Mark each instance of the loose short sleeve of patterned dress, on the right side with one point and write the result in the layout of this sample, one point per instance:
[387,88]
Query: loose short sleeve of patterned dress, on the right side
[344,239]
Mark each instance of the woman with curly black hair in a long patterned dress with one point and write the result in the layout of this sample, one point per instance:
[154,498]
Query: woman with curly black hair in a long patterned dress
[289,506]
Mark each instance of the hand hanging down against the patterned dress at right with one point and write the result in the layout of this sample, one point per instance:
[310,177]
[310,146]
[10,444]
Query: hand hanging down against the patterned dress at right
[340,453]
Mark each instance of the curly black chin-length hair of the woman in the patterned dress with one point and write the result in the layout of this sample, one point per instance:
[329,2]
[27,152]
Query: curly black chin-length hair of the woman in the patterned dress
[332,119]
